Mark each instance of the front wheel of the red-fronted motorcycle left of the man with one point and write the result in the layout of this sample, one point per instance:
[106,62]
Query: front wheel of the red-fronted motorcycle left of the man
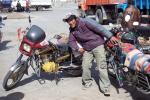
[17,73]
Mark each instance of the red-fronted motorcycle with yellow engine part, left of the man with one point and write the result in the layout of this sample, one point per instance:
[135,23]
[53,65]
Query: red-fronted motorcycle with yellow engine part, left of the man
[42,57]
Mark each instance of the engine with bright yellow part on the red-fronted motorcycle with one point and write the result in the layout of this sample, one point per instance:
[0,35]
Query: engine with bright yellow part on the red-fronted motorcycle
[51,57]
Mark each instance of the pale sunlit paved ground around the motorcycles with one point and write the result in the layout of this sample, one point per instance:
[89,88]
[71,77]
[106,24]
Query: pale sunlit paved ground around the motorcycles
[68,88]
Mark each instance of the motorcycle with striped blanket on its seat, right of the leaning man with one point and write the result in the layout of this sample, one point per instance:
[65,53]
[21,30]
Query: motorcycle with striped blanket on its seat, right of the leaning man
[127,61]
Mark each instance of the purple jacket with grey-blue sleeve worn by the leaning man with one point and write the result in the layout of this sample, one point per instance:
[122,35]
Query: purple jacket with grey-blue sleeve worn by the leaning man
[88,33]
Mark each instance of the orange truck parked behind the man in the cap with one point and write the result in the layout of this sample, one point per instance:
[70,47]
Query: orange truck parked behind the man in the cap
[104,11]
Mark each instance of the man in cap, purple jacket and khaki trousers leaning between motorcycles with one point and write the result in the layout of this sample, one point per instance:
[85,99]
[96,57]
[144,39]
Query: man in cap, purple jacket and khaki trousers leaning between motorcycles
[90,35]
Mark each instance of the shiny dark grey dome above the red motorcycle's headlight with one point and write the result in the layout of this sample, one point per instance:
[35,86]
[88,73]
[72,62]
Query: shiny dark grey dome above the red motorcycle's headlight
[35,34]
